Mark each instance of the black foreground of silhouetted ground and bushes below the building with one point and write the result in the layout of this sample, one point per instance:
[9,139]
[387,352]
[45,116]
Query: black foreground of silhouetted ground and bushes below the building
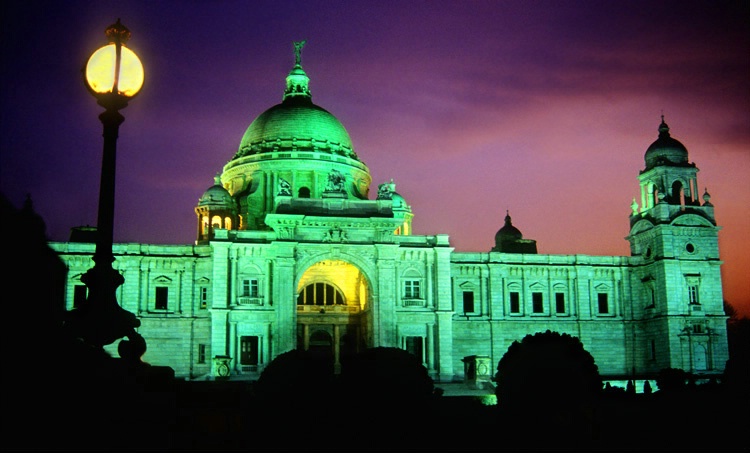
[61,395]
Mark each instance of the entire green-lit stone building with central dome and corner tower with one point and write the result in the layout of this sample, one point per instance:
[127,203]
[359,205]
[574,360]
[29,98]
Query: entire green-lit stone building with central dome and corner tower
[291,213]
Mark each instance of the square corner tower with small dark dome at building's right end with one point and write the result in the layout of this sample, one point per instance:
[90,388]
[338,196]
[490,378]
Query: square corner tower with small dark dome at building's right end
[677,291]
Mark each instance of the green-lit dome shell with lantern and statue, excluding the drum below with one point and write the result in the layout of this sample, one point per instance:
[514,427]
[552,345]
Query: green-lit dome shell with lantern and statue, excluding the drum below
[296,124]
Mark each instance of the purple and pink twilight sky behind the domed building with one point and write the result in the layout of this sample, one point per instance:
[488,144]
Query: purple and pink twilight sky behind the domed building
[542,108]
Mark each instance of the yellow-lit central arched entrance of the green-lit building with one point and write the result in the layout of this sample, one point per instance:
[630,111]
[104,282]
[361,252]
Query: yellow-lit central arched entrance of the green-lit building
[332,310]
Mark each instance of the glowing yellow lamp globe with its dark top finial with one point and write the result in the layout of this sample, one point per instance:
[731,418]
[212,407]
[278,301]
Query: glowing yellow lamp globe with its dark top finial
[114,71]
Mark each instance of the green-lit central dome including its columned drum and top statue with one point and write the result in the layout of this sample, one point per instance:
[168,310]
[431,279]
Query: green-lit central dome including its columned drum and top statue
[294,150]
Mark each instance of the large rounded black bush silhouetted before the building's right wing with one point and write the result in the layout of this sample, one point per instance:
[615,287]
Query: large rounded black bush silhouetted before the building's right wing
[548,384]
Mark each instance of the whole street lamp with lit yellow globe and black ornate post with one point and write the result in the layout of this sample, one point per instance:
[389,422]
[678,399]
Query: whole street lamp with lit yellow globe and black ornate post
[114,75]
